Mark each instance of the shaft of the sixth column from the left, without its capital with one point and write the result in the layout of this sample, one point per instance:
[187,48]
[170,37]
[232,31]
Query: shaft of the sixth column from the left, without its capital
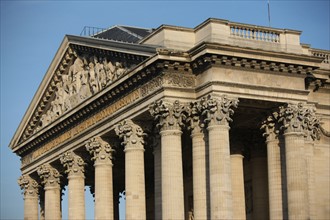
[172,177]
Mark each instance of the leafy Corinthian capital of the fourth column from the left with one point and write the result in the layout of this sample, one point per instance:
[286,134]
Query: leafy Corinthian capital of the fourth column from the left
[100,150]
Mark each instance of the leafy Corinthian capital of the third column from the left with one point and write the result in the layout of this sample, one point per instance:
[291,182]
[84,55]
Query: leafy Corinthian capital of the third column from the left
[73,164]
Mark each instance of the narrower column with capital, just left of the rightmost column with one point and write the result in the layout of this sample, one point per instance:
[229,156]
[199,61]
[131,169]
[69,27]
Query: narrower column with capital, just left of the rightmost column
[271,128]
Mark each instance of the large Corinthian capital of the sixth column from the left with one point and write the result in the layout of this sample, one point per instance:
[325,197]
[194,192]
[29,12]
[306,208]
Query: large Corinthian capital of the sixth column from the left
[169,116]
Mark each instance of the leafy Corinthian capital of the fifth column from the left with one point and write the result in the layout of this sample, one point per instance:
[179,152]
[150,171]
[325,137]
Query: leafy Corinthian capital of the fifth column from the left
[131,133]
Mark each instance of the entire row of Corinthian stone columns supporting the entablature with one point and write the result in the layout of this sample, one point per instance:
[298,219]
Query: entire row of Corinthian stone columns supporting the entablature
[218,183]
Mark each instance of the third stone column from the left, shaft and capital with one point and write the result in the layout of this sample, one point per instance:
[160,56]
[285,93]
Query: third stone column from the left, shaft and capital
[74,167]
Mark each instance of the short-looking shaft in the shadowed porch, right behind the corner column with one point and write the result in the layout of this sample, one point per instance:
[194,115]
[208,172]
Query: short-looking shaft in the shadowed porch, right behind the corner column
[237,179]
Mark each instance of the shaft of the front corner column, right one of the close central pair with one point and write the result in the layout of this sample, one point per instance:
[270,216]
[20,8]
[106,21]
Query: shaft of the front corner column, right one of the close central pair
[220,172]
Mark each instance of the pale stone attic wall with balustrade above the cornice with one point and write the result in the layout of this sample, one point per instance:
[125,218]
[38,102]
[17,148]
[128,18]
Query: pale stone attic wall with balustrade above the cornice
[226,32]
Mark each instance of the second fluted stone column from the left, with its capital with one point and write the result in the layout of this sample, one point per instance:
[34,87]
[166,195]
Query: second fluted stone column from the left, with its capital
[51,180]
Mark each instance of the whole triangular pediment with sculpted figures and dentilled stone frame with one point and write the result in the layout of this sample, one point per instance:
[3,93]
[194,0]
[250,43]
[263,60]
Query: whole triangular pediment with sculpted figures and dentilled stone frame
[79,70]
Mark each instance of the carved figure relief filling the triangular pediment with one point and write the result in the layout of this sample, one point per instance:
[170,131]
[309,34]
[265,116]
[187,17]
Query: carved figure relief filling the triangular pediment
[86,76]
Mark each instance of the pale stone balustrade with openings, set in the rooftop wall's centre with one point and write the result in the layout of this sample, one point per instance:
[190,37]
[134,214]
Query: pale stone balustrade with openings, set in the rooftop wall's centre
[255,33]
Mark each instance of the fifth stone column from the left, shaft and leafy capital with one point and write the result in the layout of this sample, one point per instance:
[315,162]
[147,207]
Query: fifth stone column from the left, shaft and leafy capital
[132,136]
